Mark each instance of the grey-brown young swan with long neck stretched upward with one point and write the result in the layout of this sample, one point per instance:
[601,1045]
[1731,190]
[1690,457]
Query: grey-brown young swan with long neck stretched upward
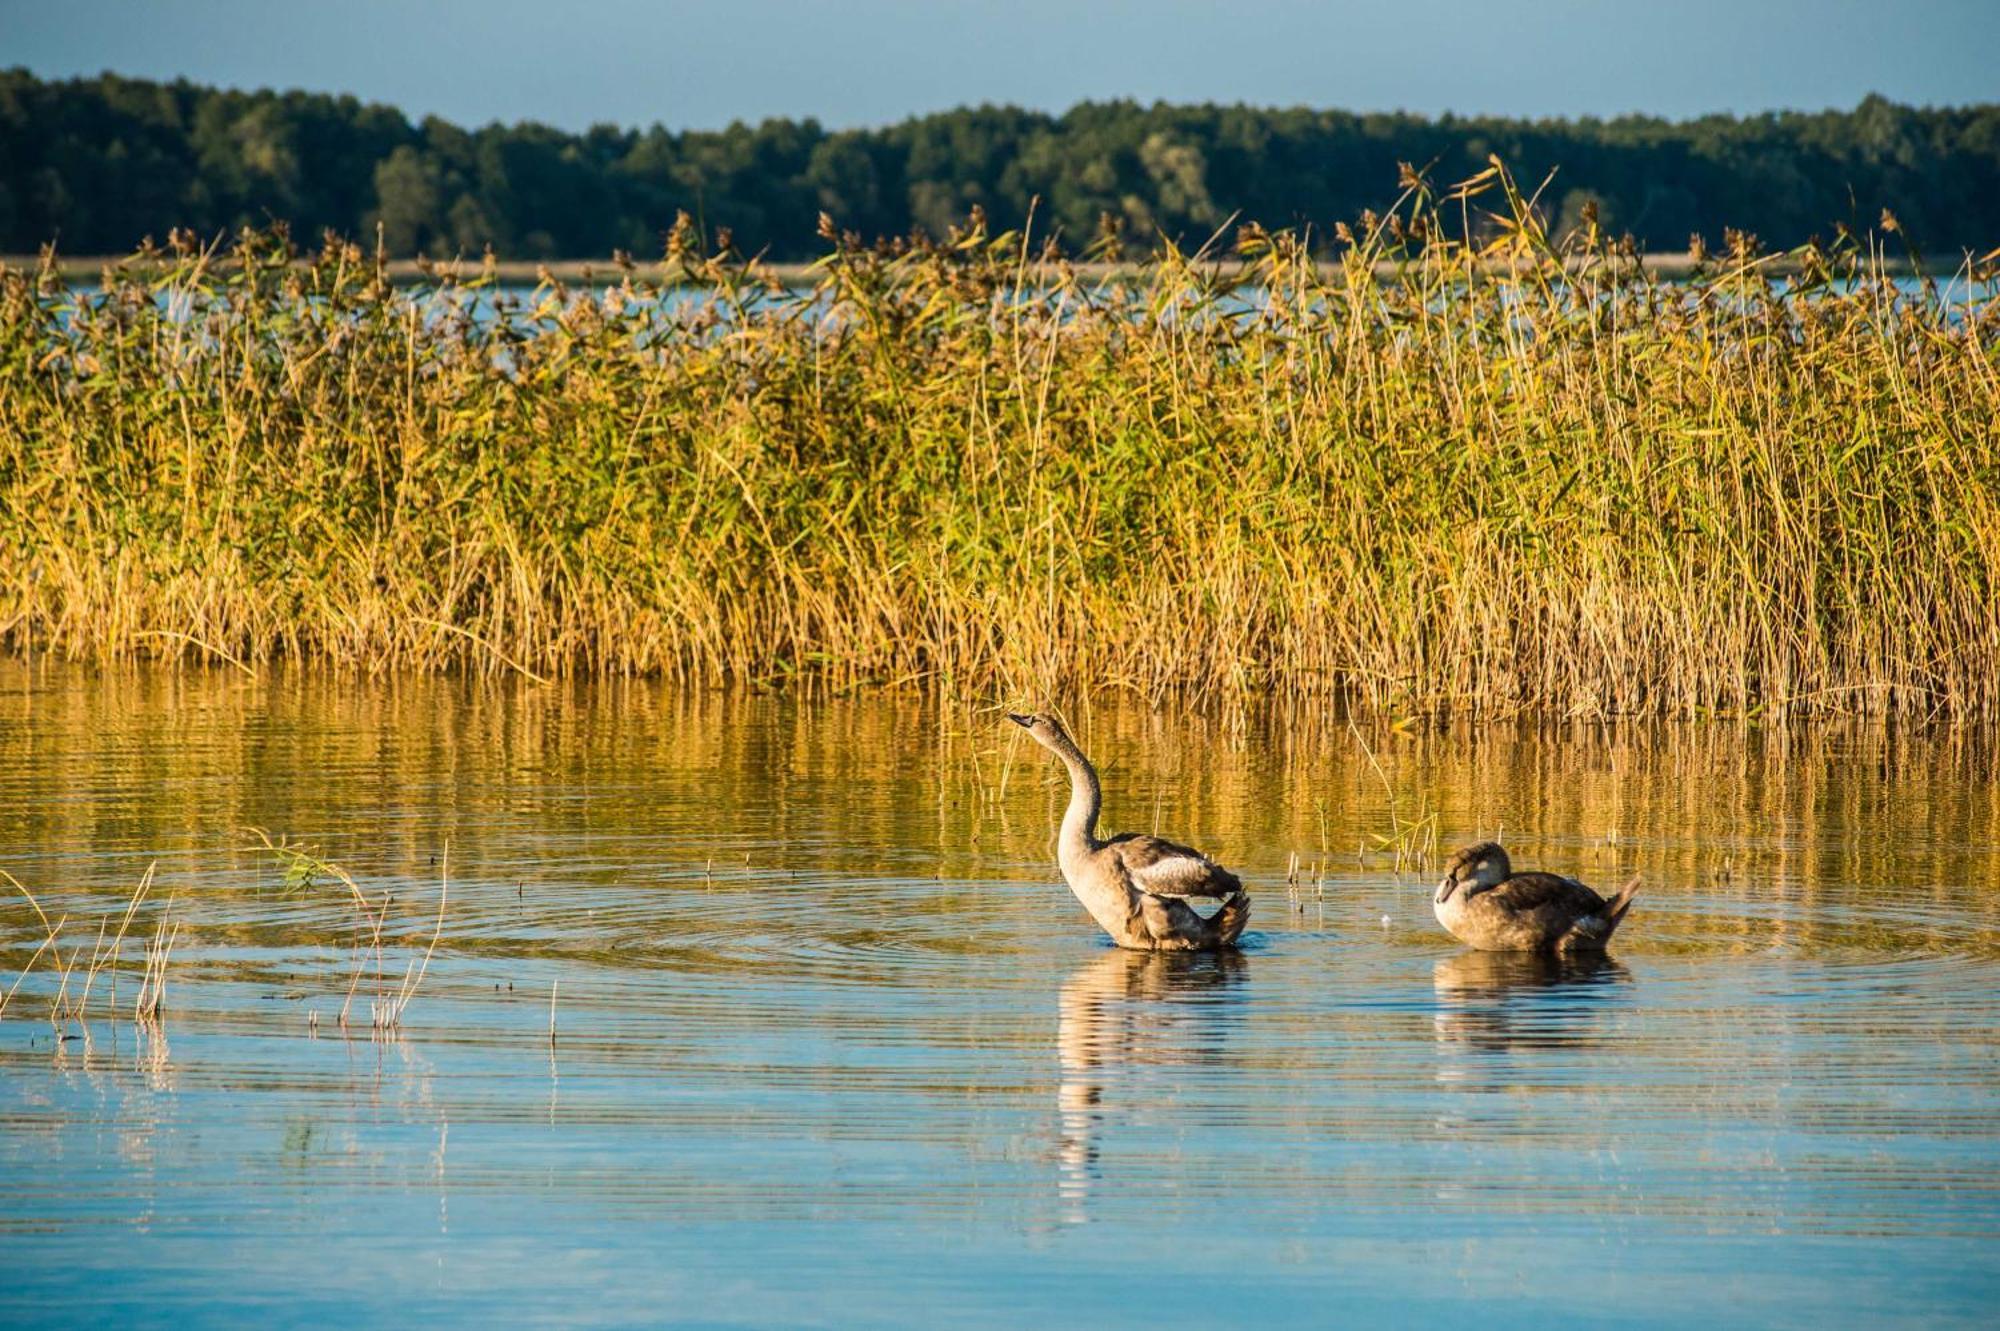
[1137,886]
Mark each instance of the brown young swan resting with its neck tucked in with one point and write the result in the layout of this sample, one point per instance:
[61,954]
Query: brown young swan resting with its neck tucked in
[1487,904]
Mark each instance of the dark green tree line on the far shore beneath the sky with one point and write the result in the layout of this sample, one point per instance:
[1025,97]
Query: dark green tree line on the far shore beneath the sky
[97,165]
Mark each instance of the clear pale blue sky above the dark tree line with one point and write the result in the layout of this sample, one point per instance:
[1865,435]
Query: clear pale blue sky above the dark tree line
[875,61]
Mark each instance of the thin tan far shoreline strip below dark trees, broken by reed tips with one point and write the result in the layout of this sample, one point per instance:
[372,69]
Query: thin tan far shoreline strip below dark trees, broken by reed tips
[607,273]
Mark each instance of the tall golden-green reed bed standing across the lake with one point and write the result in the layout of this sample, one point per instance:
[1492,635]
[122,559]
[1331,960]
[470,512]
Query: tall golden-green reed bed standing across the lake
[1517,475]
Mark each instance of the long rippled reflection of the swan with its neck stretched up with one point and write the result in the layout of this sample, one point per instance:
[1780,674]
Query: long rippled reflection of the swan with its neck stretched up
[1123,1018]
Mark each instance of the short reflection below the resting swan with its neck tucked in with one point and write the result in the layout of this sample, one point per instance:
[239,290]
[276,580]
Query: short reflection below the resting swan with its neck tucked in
[1513,1002]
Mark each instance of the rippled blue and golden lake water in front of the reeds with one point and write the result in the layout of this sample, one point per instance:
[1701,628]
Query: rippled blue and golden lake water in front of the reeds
[837,1048]
